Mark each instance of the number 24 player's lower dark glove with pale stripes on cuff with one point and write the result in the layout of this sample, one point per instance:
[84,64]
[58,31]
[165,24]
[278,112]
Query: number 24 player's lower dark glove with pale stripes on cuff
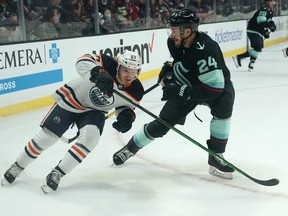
[176,92]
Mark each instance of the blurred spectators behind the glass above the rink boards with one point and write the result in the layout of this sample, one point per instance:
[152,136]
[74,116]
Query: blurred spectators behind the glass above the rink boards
[49,19]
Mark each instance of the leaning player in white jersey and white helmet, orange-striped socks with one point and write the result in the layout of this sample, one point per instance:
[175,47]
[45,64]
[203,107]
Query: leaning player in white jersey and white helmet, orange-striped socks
[84,102]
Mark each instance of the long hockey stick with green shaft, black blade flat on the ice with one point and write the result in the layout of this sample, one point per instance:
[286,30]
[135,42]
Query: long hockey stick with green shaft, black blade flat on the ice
[270,182]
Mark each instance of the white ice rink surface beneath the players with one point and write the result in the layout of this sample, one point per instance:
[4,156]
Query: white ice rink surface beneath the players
[170,176]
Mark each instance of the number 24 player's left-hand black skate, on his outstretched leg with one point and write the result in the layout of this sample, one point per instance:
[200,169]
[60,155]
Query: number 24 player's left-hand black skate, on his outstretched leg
[125,153]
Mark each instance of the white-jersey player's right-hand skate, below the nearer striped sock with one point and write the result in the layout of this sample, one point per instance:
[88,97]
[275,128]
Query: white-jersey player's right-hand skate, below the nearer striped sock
[52,181]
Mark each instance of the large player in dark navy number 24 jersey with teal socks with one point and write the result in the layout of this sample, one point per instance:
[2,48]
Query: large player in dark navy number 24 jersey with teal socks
[200,77]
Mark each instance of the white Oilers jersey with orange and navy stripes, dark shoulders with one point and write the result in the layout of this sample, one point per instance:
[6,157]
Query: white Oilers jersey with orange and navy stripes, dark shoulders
[81,95]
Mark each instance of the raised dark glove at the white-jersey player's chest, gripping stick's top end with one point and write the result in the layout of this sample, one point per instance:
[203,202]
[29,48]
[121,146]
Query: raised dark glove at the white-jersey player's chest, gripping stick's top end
[102,80]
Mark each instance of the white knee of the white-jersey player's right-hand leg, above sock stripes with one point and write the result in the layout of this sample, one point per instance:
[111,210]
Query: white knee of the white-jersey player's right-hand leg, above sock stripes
[89,136]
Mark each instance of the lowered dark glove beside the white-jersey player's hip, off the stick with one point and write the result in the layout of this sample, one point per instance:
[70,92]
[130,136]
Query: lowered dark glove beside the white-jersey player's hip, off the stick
[124,120]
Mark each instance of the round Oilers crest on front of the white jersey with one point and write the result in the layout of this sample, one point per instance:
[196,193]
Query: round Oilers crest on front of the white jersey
[98,98]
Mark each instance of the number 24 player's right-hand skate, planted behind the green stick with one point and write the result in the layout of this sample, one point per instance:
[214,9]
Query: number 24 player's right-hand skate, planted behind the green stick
[219,168]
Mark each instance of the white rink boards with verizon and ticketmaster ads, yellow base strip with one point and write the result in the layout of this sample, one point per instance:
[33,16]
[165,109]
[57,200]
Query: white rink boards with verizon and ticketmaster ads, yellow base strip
[31,72]
